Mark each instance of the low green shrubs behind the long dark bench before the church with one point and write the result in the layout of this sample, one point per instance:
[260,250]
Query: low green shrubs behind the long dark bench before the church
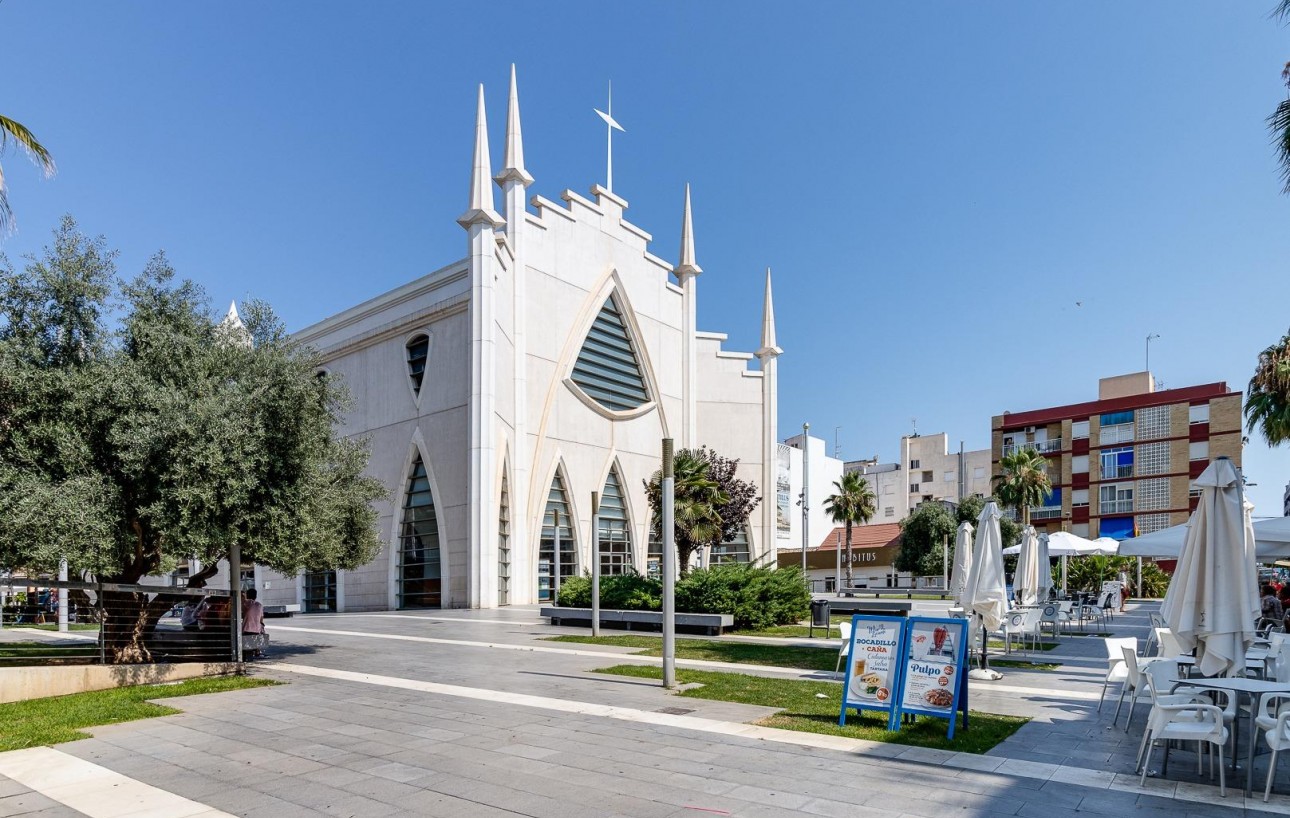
[757,598]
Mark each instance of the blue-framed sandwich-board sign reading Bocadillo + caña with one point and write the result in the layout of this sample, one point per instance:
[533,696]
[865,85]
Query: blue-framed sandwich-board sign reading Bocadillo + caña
[874,665]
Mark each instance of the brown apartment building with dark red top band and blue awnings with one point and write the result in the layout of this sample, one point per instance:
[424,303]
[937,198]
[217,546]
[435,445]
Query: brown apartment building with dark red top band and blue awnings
[1124,464]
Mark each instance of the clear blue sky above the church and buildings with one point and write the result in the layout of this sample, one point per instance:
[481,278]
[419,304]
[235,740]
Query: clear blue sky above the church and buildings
[936,185]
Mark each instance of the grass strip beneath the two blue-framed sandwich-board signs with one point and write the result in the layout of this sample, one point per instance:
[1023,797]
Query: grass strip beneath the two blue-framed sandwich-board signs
[803,709]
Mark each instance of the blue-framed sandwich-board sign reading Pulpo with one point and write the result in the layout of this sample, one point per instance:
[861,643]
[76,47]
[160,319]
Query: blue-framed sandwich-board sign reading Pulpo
[933,670]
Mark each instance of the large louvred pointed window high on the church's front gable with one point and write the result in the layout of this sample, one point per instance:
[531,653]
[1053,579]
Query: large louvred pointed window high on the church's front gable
[608,368]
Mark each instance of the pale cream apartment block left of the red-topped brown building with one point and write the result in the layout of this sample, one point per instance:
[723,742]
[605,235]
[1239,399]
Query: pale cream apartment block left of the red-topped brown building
[927,472]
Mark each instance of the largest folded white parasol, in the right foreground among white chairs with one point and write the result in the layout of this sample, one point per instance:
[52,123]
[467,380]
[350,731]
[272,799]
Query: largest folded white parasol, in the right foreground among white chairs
[1213,602]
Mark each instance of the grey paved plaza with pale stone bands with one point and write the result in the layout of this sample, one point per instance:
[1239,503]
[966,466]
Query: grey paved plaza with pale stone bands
[464,714]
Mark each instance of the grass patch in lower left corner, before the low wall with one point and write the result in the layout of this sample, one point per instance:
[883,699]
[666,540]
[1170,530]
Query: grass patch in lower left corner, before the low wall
[60,719]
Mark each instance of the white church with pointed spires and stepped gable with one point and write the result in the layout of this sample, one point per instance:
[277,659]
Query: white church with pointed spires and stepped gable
[504,389]
